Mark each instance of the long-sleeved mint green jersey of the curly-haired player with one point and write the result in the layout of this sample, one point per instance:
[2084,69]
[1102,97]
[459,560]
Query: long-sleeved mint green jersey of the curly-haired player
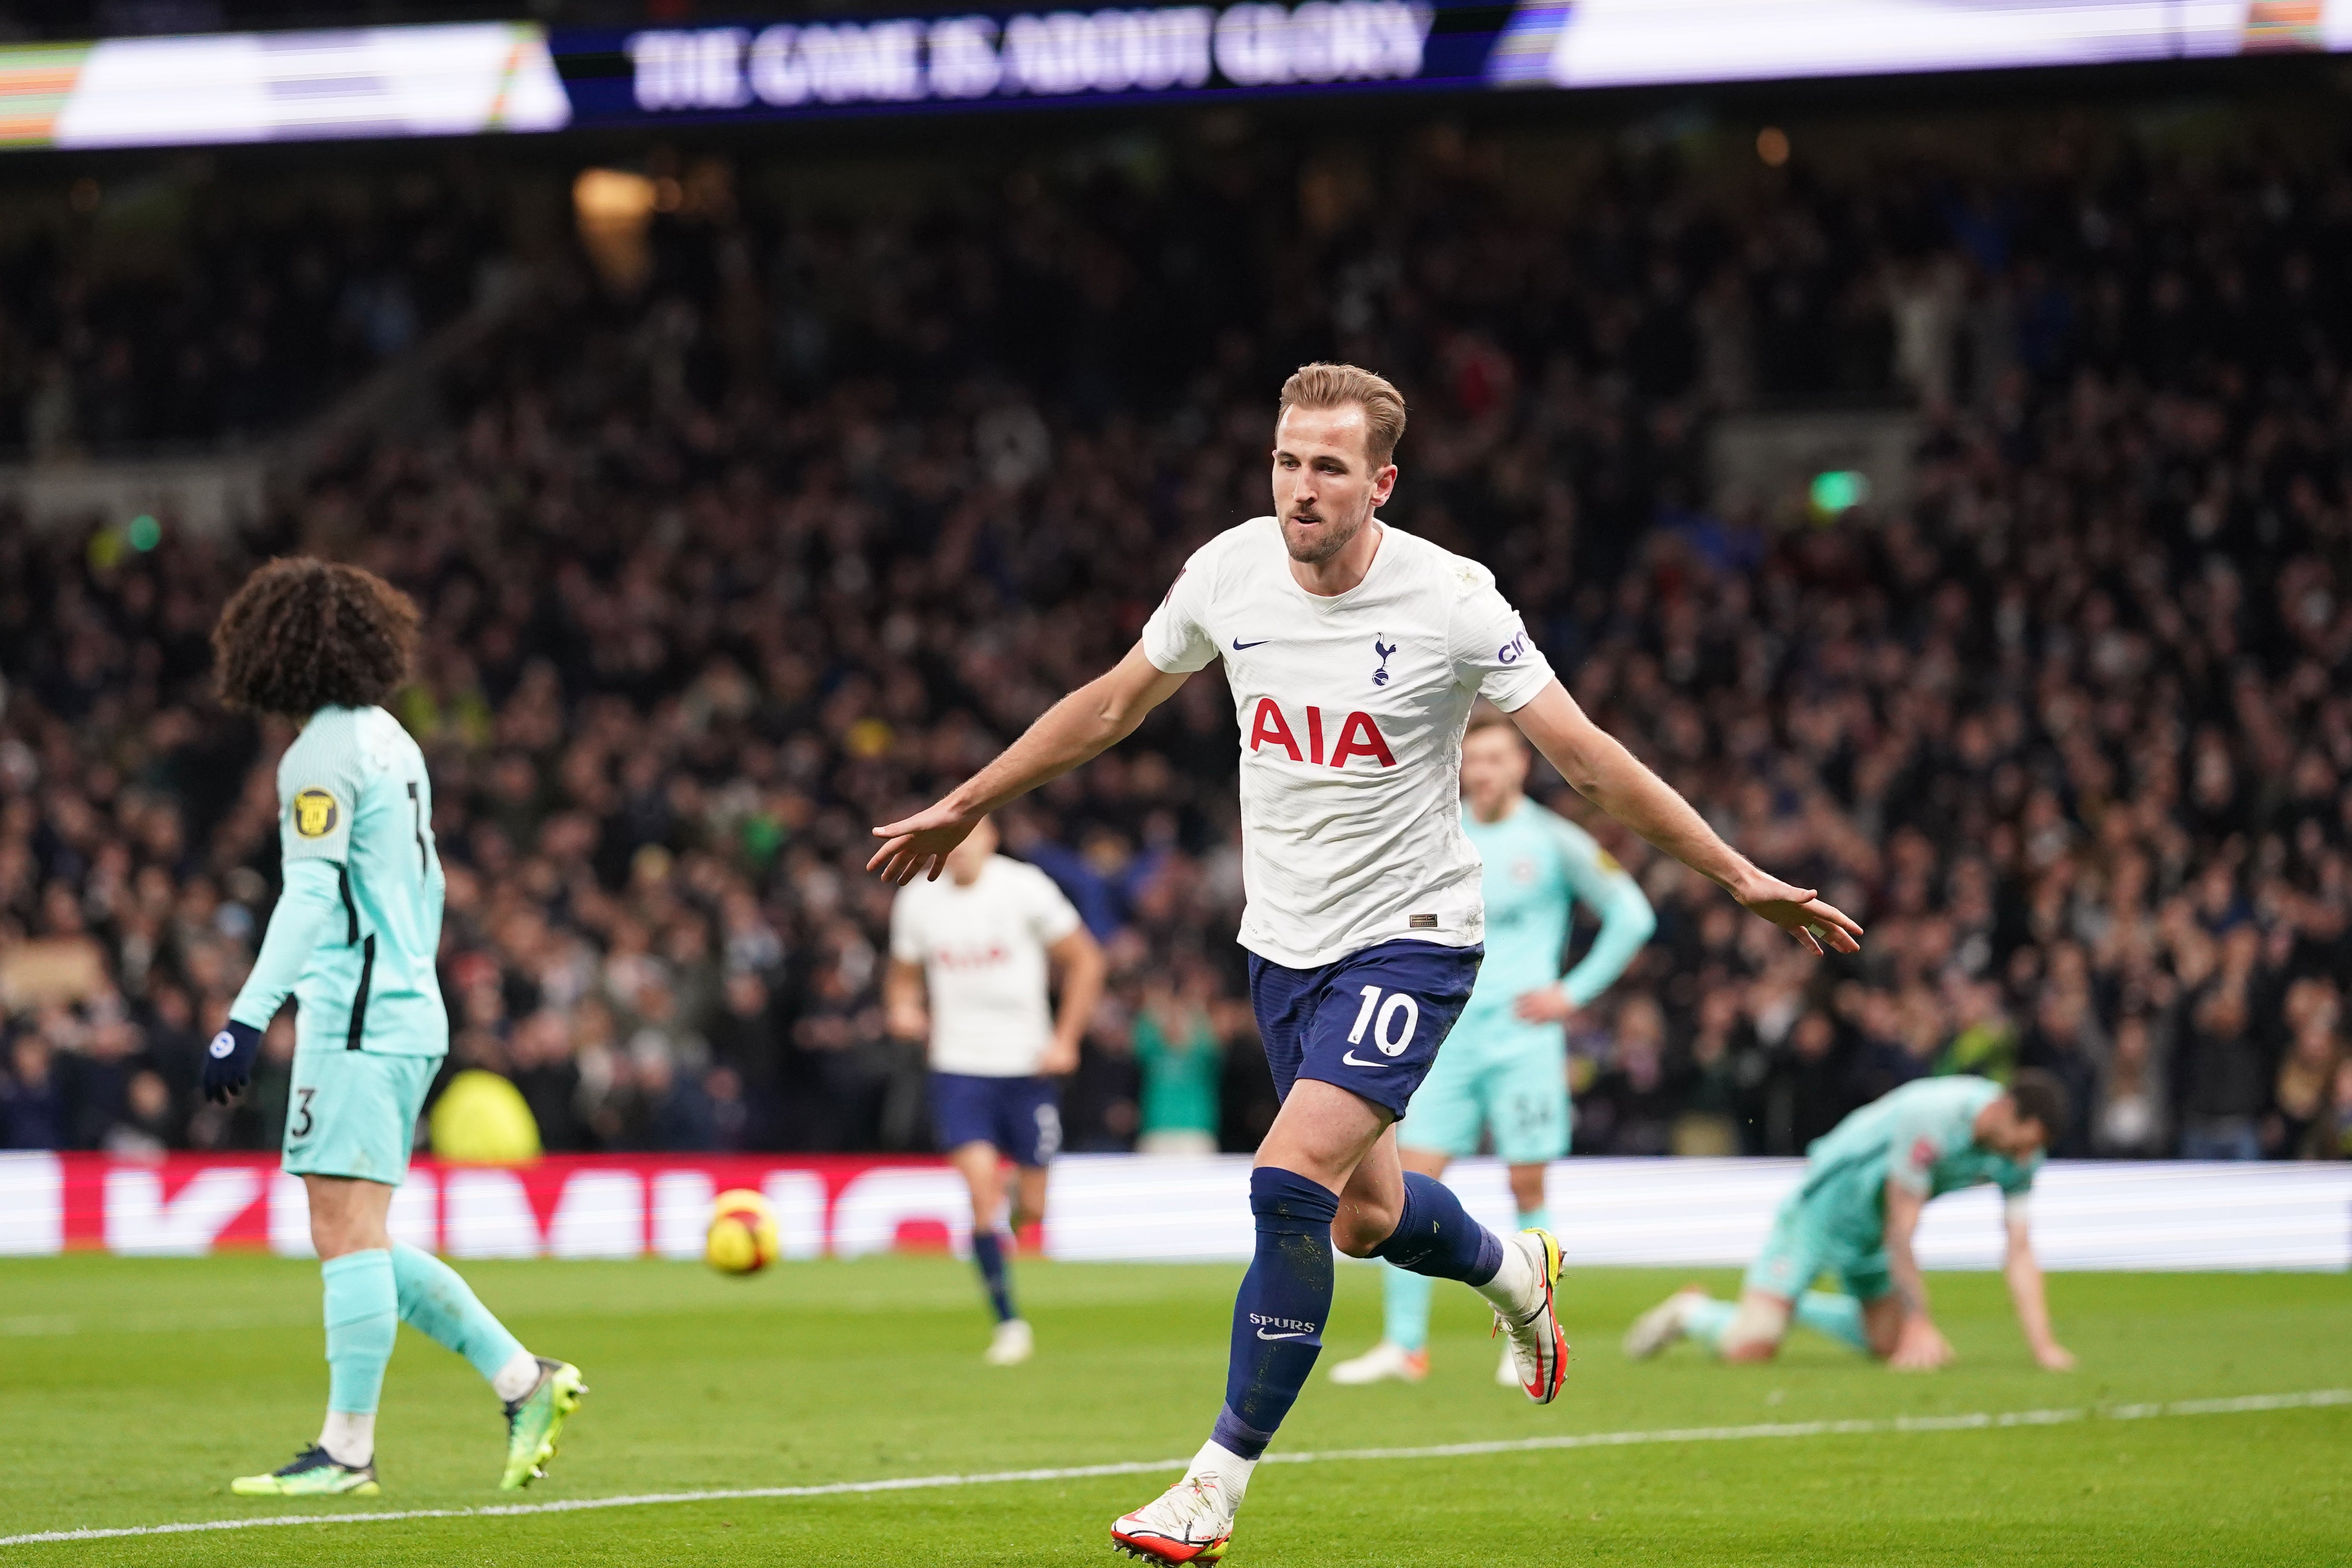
[359,927]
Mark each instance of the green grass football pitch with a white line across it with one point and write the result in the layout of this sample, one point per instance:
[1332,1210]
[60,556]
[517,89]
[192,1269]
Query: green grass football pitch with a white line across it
[131,1391]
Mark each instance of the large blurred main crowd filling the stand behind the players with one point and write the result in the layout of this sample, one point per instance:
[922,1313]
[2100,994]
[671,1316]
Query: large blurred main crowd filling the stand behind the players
[789,523]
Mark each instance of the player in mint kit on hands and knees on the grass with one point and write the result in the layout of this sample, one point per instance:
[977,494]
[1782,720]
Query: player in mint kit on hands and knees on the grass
[1857,1214]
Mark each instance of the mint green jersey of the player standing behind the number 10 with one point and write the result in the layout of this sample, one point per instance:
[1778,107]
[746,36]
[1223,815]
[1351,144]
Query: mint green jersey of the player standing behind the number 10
[1537,866]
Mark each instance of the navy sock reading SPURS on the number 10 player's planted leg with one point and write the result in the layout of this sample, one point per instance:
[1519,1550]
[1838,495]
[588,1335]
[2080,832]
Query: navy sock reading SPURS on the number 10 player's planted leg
[1281,1313]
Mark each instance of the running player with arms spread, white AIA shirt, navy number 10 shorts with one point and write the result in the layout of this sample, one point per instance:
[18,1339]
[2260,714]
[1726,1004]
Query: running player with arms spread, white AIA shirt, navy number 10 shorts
[1354,655]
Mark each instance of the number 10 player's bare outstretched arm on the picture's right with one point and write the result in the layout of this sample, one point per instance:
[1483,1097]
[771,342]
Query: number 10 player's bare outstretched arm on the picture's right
[1615,779]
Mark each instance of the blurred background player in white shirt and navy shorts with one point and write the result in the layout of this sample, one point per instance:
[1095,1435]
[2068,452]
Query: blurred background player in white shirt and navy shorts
[980,942]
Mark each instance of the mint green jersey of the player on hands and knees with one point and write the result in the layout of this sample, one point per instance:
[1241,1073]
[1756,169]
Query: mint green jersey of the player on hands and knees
[1923,1139]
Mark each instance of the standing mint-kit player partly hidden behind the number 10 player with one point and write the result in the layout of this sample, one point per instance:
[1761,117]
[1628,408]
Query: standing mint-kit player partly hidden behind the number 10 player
[1506,1064]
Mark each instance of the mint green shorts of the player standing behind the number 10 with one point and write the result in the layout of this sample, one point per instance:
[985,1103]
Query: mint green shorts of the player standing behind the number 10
[1495,1076]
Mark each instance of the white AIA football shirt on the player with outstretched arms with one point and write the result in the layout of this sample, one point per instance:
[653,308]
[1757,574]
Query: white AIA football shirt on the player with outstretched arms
[1351,716]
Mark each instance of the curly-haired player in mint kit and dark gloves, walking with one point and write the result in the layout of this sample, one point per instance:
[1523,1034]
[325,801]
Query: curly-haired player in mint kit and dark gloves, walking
[354,939]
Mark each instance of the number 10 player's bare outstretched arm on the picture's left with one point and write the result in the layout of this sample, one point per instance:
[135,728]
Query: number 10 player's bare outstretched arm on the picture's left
[1078,728]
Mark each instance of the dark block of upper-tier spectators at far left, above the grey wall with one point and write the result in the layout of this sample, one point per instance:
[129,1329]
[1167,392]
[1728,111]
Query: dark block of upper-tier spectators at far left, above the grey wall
[173,316]
